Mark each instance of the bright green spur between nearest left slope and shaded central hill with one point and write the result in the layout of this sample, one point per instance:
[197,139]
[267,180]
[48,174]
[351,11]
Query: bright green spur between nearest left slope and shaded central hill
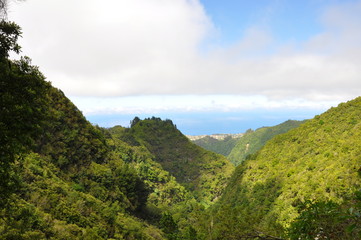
[166,195]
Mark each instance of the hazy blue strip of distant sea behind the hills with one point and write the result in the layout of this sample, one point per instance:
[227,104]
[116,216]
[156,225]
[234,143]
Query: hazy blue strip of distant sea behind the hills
[199,123]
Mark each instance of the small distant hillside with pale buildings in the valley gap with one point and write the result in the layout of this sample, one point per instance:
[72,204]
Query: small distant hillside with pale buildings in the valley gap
[223,146]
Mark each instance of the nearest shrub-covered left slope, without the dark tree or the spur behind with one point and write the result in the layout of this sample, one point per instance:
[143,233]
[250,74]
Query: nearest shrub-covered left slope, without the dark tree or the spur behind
[71,185]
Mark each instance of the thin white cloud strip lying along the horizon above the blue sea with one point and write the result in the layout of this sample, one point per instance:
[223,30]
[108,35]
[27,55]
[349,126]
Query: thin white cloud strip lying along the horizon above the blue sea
[192,103]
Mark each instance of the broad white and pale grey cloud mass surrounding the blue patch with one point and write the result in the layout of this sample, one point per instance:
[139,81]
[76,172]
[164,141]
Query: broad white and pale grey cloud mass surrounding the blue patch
[149,47]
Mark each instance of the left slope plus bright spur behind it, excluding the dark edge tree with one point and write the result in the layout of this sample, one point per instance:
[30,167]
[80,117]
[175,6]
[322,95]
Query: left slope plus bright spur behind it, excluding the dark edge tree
[78,182]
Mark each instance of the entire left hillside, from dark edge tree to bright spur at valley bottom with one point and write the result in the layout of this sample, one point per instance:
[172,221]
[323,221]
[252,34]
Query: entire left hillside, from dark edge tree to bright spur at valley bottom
[63,178]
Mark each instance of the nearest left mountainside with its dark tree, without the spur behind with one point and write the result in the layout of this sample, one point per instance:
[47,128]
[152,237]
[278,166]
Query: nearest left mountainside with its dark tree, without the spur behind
[59,177]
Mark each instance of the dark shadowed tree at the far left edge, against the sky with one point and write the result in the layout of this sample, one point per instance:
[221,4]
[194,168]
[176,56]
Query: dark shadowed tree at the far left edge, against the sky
[22,101]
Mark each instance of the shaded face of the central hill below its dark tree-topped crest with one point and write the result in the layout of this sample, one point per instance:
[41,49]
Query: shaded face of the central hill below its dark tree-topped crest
[201,171]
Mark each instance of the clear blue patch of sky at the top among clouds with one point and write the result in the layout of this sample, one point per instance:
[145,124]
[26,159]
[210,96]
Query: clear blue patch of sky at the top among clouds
[287,20]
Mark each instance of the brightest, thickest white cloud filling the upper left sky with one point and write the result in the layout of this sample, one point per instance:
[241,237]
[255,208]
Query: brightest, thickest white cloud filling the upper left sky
[113,47]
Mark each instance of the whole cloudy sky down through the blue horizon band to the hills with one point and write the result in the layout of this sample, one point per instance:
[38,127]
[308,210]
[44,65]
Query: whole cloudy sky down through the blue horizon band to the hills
[211,66]
